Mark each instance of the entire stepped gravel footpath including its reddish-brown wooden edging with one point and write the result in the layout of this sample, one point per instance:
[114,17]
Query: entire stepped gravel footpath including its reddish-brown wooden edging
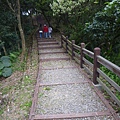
[63,91]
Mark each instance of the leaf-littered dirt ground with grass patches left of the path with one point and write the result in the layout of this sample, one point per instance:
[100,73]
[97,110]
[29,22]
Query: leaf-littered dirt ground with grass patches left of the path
[17,90]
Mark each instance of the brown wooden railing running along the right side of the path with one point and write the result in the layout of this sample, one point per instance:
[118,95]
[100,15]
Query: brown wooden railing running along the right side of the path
[80,55]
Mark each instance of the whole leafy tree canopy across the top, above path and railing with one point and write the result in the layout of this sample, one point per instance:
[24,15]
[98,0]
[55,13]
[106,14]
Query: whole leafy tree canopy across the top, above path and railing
[95,22]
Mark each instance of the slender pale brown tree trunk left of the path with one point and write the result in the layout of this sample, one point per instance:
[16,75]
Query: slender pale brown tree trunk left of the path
[21,31]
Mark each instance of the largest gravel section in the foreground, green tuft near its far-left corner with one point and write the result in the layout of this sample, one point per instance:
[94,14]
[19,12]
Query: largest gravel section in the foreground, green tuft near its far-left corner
[65,99]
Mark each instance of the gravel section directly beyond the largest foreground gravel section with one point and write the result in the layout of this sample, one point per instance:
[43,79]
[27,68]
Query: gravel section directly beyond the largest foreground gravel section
[61,76]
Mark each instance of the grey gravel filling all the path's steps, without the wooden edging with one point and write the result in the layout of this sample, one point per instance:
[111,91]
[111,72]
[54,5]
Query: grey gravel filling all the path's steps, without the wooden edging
[77,97]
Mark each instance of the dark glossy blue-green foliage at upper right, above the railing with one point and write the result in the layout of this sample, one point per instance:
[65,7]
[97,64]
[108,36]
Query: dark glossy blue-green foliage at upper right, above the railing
[104,30]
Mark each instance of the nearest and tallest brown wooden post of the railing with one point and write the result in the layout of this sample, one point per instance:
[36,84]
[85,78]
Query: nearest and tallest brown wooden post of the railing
[96,65]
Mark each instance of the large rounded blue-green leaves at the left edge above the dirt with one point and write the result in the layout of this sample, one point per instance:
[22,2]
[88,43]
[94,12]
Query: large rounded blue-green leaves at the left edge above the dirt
[5,66]
